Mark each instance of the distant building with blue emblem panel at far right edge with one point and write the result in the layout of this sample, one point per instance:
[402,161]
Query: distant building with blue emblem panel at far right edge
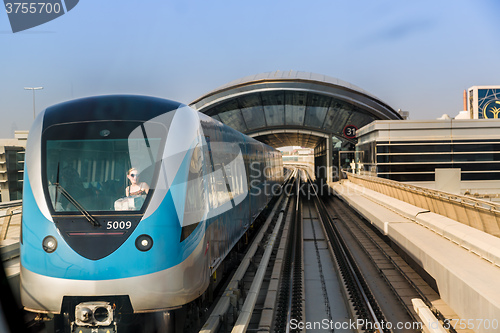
[484,102]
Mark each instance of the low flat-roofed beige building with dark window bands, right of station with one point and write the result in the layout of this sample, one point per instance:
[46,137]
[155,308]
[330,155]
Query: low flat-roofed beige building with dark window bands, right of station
[448,154]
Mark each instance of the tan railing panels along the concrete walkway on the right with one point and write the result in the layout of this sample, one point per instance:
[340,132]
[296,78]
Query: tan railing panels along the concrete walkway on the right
[480,214]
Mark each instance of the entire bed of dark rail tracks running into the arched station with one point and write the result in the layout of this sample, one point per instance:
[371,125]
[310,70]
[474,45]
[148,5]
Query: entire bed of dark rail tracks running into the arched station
[316,266]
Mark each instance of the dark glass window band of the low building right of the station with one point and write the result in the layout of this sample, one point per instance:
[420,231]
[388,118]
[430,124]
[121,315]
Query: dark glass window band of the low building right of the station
[417,160]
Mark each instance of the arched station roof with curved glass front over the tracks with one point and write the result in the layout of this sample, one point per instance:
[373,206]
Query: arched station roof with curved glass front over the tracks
[295,109]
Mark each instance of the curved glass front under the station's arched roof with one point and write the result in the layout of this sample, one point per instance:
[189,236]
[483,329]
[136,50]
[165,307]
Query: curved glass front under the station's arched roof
[280,109]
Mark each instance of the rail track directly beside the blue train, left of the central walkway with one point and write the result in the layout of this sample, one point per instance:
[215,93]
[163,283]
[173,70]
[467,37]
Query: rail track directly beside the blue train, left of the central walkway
[248,302]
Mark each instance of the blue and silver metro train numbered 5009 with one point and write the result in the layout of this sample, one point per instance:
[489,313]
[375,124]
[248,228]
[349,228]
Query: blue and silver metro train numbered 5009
[94,251]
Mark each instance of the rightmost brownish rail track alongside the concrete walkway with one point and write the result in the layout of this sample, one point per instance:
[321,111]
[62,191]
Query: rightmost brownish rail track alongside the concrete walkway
[382,260]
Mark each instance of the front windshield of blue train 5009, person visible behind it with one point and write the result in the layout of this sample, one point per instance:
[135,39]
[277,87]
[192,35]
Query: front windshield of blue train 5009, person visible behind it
[101,166]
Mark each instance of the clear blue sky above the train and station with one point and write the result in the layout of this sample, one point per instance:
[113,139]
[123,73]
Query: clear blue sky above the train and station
[414,55]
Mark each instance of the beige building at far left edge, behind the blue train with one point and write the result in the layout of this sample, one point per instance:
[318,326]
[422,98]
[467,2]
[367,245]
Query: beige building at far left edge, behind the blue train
[12,166]
